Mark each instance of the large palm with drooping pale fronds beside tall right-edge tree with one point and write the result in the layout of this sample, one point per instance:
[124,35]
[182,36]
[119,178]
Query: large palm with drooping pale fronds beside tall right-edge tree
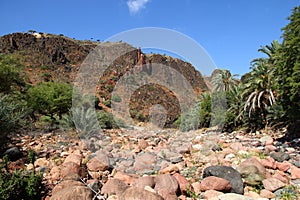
[259,93]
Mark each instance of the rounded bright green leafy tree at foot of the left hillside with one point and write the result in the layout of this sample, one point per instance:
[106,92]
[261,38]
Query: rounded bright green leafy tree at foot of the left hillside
[50,98]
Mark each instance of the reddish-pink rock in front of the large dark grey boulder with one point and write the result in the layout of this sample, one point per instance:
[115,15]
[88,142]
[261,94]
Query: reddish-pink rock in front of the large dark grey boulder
[215,183]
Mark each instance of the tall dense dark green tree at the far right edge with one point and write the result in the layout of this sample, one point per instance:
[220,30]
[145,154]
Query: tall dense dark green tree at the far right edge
[287,68]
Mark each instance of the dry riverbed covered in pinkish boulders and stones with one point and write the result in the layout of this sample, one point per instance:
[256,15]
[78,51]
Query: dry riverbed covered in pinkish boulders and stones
[166,164]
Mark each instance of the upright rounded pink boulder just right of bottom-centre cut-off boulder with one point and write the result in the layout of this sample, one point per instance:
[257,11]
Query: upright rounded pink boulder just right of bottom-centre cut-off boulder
[165,184]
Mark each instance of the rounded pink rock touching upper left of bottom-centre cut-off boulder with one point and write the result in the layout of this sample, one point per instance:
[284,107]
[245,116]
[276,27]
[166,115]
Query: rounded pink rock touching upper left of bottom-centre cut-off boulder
[114,186]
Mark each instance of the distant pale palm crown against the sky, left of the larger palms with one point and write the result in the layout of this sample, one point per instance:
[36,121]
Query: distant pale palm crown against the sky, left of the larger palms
[223,81]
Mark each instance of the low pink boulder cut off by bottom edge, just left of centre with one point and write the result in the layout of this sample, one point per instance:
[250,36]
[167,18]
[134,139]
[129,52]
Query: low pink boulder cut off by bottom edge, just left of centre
[135,193]
